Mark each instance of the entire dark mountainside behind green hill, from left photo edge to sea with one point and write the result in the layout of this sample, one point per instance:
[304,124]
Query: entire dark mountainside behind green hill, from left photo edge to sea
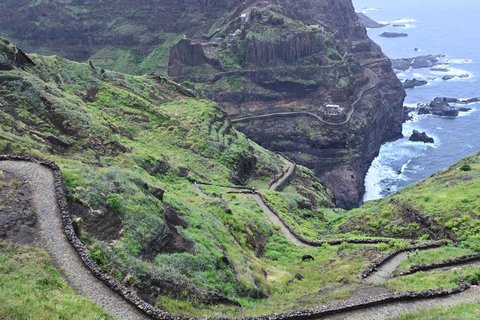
[256,58]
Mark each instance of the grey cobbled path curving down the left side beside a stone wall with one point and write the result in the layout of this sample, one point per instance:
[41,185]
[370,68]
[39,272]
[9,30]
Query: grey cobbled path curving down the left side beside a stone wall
[54,241]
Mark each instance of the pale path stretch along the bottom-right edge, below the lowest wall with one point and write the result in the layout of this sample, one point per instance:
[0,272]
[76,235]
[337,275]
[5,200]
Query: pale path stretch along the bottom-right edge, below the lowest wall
[393,310]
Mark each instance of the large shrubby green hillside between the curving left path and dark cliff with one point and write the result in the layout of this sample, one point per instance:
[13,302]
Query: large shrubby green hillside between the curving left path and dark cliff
[120,141]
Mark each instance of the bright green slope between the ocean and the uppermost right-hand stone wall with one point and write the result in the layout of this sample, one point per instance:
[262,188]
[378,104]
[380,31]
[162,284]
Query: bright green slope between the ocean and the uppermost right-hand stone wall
[448,198]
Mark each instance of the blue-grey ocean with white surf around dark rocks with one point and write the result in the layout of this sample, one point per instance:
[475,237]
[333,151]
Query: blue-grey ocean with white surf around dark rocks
[446,27]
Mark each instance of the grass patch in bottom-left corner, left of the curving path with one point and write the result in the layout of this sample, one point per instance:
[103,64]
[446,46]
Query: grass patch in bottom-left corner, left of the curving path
[31,288]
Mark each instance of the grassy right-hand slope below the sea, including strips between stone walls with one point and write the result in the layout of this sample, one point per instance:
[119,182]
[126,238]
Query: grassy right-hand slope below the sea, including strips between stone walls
[445,205]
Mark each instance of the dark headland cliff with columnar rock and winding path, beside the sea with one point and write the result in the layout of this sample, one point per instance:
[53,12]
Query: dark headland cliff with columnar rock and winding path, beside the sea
[277,66]
